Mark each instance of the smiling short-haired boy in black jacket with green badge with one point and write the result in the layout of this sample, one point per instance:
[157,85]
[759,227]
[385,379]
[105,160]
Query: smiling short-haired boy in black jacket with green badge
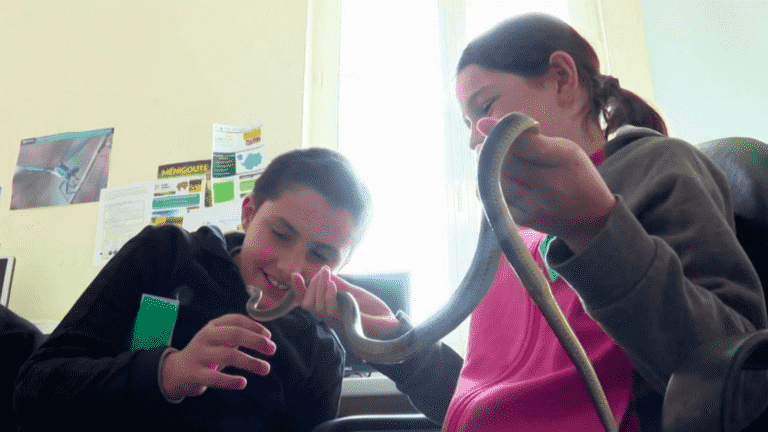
[220,370]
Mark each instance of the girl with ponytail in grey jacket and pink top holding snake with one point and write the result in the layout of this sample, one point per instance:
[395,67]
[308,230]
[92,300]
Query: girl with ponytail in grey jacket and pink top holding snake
[640,226]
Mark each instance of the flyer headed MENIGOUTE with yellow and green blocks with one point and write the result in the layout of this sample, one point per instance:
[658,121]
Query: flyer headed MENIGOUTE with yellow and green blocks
[181,188]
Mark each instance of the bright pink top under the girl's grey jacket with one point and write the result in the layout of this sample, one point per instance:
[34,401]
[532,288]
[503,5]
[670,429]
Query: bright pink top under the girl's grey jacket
[517,376]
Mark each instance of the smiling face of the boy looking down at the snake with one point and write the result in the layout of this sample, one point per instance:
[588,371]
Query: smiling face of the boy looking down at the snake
[298,232]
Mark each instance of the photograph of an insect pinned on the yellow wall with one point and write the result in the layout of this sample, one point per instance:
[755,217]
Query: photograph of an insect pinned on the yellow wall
[66,168]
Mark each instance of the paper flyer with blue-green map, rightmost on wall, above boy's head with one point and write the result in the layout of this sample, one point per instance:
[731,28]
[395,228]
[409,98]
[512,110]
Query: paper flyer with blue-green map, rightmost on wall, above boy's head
[239,157]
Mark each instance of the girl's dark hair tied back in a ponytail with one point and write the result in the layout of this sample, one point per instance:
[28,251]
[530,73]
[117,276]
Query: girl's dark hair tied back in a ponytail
[522,46]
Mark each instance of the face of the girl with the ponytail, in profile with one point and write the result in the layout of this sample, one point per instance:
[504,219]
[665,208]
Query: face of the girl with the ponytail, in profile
[483,93]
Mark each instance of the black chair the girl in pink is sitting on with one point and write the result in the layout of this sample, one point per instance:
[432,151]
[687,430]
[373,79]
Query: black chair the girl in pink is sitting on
[699,395]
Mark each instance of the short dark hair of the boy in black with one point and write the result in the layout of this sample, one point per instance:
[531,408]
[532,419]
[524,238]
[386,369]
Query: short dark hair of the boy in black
[325,171]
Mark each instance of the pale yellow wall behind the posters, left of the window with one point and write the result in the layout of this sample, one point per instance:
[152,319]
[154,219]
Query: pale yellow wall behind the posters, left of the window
[160,72]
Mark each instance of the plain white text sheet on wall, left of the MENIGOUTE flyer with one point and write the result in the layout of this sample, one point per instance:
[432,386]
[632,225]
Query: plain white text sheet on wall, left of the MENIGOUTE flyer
[123,212]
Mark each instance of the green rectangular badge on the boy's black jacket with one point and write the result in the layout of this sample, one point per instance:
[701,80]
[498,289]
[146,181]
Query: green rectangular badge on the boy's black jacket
[154,323]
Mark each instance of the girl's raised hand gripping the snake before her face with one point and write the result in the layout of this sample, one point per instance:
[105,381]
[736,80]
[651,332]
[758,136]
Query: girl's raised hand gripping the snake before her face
[552,186]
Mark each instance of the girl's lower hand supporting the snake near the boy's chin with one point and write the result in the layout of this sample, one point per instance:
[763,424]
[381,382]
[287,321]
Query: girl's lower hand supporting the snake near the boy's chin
[320,299]
